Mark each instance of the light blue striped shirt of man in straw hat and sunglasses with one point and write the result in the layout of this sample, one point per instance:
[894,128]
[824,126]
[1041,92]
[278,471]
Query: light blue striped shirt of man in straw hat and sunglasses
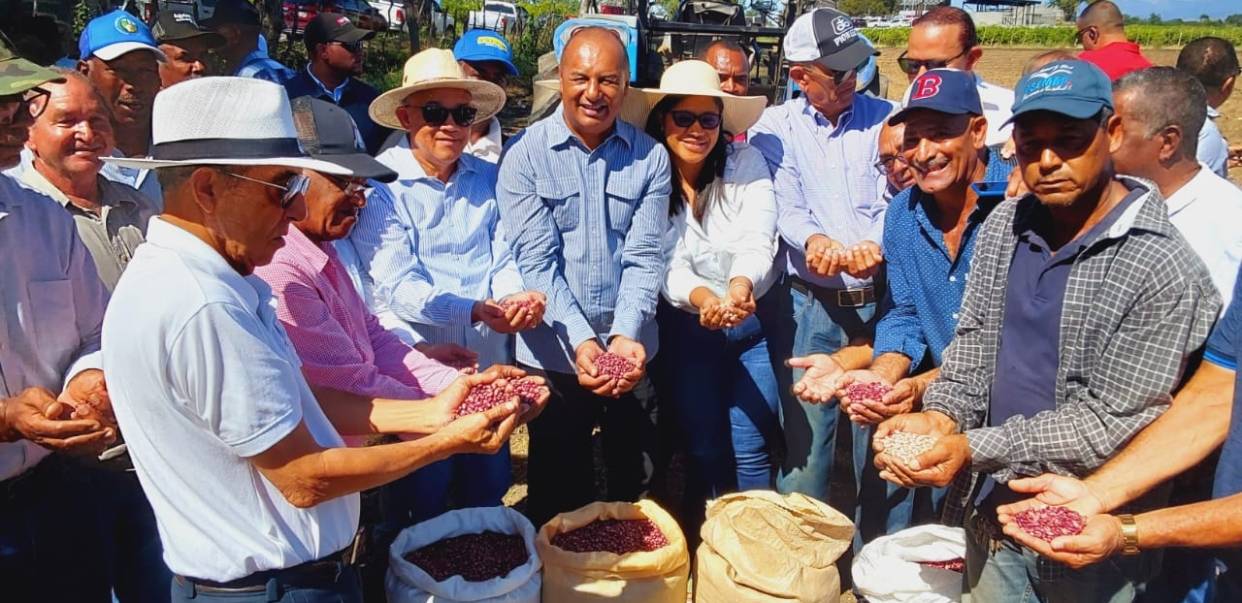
[433,250]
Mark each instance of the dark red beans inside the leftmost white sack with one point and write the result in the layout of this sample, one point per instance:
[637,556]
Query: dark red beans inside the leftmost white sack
[475,558]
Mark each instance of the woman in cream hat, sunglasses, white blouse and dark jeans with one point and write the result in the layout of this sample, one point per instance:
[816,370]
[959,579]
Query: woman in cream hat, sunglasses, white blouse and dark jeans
[716,369]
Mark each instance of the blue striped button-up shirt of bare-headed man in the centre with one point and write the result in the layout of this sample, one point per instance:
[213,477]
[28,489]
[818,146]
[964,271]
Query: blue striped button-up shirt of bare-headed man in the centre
[587,230]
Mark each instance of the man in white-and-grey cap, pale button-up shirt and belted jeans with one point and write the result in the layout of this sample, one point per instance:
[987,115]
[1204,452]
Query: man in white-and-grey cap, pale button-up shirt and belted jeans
[822,150]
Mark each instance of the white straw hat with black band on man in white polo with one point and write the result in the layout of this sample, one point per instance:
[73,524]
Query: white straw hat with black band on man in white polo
[225,121]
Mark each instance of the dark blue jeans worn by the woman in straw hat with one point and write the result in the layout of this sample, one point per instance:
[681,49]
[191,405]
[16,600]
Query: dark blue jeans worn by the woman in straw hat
[723,395]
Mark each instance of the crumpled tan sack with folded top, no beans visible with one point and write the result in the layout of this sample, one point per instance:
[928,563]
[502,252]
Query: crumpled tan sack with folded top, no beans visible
[763,548]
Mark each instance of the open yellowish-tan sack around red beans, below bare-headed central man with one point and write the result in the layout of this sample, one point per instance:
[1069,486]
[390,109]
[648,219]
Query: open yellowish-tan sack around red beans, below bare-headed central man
[640,578]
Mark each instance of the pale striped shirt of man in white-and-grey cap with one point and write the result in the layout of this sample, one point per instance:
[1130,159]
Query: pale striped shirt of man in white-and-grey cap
[825,178]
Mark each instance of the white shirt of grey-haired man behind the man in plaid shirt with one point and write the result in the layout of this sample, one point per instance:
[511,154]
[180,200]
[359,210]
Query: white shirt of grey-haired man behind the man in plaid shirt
[1208,212]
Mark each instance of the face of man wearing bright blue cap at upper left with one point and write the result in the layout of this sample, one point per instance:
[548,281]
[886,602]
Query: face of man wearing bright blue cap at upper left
[129,84]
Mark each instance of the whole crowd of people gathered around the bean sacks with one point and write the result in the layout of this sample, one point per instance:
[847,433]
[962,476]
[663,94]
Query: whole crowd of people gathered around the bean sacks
[237,301]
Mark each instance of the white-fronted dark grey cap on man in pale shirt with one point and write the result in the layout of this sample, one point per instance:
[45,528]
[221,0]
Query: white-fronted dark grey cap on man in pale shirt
[829,38]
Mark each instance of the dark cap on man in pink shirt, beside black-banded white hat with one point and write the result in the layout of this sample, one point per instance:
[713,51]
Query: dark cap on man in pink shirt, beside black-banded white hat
[327,133]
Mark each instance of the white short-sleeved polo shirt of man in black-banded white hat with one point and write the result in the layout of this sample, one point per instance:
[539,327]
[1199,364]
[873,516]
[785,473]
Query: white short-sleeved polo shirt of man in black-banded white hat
[203,378]
